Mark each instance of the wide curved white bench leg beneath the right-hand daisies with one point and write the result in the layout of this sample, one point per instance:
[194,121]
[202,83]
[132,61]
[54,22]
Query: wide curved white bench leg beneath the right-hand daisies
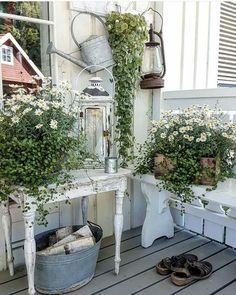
[158,220]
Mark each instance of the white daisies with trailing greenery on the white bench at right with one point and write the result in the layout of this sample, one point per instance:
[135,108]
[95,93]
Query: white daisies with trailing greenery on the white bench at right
[184,139]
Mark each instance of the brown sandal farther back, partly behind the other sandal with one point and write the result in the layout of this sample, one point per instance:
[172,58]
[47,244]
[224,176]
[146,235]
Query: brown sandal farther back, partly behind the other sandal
[169,264]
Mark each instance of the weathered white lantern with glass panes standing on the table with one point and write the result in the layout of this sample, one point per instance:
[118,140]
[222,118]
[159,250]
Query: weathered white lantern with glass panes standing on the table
[96,118]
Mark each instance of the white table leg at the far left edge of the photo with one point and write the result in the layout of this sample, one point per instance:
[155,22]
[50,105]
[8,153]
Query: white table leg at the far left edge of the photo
[7,229]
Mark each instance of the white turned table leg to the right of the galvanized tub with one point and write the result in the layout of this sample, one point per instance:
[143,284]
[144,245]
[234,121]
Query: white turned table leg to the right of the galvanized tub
[118,223]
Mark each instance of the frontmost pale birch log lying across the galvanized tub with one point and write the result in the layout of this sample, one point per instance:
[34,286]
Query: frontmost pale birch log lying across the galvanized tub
[70,247]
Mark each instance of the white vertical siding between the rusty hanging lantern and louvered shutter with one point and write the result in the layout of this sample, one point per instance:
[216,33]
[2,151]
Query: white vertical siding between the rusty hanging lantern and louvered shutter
[191,36]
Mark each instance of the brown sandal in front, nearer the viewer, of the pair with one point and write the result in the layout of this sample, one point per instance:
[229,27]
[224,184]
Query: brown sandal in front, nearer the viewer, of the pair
[192,271]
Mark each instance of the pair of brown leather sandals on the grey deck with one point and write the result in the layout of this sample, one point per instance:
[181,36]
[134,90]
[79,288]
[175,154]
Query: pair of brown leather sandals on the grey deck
[184,268]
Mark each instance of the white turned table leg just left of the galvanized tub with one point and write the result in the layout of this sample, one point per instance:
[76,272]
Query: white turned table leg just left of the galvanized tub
[30,250]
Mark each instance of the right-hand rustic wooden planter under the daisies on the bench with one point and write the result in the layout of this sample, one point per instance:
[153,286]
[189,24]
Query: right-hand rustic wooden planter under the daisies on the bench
[210,169]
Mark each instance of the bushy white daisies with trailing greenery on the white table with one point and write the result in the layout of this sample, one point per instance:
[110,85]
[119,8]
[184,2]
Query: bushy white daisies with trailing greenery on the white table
[37,143]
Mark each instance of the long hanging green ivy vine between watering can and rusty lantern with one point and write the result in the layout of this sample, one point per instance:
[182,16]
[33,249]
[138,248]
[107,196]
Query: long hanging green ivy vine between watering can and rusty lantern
[127,33]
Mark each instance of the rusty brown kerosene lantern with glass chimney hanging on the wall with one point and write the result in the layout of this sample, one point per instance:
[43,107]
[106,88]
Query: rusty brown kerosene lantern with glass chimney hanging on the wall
[153,66]
